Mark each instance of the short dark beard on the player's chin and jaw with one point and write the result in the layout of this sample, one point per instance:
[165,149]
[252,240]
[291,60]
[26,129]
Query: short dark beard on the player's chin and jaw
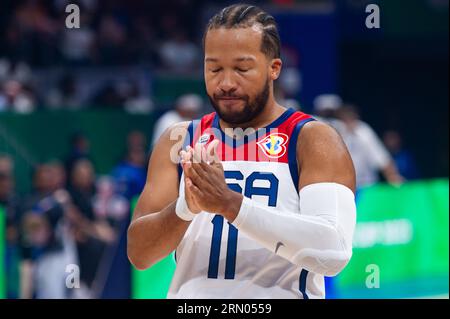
[251,108]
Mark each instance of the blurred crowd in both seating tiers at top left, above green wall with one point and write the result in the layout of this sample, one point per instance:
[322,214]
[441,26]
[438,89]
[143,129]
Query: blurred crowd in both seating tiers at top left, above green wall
[33,36]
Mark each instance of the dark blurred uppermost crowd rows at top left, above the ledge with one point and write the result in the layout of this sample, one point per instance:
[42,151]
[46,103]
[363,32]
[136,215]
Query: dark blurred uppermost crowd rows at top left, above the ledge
[111,32]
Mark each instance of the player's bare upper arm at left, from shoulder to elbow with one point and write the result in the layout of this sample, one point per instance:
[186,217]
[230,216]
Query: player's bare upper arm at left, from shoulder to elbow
[161,187]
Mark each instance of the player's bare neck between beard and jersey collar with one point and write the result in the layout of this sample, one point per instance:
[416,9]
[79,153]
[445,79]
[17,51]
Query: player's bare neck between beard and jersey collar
[269,114]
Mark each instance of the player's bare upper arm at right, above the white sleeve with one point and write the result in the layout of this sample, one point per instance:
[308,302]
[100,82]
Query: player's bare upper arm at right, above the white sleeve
[323,157]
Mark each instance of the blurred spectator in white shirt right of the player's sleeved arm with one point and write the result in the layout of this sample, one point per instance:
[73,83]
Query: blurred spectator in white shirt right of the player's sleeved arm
[367,151]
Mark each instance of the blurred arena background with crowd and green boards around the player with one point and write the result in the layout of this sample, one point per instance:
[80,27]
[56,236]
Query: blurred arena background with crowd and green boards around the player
[96,92]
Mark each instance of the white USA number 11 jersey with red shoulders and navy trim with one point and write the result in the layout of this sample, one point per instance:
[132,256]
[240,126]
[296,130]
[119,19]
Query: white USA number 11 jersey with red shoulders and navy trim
[215,259]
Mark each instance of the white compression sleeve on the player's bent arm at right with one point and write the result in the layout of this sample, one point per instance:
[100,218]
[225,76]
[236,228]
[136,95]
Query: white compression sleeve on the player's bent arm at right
[318,238]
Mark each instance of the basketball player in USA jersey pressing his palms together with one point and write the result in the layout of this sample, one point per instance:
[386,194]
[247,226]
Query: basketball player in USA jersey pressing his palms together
[266,214]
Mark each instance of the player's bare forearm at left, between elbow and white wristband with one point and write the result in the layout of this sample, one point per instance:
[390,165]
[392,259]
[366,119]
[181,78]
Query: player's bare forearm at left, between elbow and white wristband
[154,236]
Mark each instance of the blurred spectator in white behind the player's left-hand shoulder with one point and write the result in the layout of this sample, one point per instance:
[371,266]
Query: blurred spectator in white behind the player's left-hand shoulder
[187,107]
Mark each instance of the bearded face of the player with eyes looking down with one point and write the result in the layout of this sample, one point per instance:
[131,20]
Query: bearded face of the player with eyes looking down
[238,75]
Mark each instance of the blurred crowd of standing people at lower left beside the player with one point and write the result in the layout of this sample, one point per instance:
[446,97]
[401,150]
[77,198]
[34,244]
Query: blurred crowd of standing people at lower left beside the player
[72,216]
